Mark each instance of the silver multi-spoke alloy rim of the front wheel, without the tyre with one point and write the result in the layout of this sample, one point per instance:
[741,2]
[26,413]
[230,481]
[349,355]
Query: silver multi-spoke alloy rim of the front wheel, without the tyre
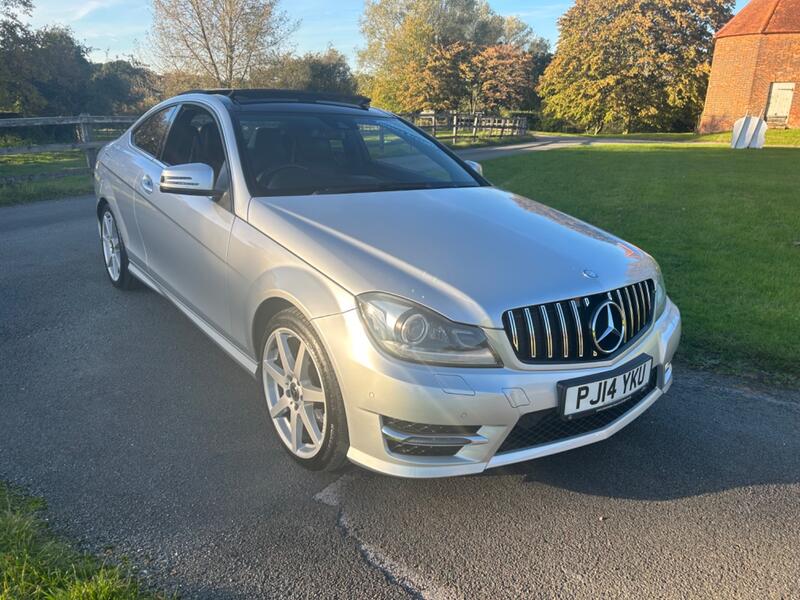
[295,393]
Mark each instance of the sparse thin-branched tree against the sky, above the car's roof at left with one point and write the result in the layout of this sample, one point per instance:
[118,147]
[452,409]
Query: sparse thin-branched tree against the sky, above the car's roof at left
[217,41]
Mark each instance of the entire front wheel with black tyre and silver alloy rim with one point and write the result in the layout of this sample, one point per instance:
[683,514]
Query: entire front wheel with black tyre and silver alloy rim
[302,393]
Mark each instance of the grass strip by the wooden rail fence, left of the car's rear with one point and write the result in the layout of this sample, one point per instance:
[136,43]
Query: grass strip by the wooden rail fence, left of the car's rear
[25,164]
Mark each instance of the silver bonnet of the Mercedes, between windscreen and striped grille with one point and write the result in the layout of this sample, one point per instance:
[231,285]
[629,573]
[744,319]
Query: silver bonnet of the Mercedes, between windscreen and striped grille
[467,253]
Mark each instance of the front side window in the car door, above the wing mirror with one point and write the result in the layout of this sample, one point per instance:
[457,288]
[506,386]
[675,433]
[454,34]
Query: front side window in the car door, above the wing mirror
[194,138]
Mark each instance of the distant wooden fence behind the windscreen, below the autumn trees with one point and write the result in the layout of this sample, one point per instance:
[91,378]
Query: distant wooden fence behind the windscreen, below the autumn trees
[445,124]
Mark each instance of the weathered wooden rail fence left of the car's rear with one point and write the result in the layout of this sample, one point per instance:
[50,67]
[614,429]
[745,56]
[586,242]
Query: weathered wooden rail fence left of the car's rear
[87,140]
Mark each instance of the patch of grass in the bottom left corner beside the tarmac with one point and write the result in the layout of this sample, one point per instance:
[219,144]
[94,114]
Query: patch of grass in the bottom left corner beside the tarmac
[36,564]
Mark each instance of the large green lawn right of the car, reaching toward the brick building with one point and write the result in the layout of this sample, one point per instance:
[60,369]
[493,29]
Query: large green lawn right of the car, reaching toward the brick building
[723,224]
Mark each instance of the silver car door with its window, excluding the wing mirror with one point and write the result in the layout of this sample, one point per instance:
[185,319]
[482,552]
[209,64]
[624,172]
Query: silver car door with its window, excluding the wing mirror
[186,237]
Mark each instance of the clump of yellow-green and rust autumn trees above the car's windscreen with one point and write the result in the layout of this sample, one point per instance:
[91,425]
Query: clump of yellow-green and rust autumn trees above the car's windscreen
[428,54]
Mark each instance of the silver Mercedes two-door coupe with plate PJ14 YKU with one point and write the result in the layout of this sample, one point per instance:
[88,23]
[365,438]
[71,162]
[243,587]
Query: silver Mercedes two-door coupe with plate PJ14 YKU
[398,310]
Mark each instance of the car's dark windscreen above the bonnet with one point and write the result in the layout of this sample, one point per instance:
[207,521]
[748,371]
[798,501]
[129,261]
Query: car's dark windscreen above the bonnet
[307,153]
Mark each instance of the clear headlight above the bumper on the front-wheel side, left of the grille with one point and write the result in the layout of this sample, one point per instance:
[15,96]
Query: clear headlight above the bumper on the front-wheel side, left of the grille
[412,332]
